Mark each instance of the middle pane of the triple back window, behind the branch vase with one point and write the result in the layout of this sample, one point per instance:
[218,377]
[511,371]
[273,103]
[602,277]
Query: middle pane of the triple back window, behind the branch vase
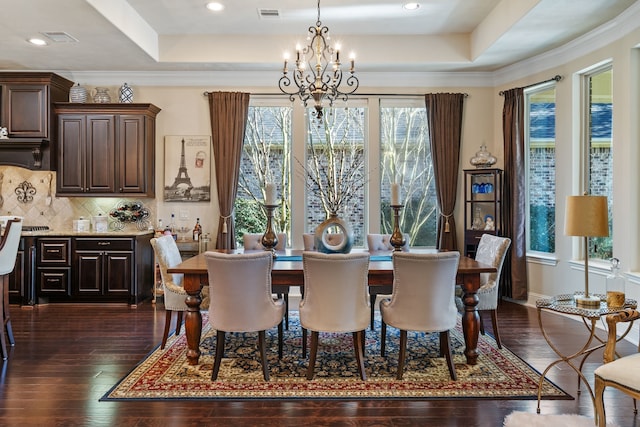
[335,167]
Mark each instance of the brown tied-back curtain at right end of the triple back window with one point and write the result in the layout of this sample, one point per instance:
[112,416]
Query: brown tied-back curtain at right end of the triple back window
[444,115]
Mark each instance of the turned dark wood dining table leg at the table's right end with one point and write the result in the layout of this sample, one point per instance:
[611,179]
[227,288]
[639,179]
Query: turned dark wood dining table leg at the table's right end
[470,317]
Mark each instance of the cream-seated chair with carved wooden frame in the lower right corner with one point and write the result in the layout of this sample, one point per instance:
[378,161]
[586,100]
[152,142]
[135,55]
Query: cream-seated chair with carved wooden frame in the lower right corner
[621,373]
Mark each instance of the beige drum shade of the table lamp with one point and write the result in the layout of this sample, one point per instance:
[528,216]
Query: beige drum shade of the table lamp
[586,216]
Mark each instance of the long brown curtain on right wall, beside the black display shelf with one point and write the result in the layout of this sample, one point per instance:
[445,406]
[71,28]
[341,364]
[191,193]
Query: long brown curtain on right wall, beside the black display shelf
[514,277]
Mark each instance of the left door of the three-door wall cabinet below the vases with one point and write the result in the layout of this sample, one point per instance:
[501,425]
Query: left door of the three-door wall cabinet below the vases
[71,154]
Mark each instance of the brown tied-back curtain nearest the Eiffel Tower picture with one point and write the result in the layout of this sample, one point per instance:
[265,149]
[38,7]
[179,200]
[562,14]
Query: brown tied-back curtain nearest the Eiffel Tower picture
[229,111]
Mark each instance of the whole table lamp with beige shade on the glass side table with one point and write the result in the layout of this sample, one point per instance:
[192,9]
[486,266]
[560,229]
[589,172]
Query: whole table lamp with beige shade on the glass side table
[586,216]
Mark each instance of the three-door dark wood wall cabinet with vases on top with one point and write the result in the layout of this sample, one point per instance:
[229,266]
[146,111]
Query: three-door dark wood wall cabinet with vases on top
[106,149]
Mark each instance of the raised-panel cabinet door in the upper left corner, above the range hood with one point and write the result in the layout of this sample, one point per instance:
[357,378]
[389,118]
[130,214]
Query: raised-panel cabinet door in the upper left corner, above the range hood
[25,110]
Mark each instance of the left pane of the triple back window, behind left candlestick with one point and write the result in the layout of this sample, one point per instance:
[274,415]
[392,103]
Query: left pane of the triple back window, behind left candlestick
[266,157]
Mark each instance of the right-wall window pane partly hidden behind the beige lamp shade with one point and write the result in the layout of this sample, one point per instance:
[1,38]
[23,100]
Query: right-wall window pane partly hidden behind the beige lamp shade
[600,159]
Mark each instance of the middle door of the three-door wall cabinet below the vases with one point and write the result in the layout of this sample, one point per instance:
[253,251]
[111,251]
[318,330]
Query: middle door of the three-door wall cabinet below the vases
[101,152]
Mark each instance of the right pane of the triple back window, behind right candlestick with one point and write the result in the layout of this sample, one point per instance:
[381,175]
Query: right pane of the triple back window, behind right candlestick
[405,158]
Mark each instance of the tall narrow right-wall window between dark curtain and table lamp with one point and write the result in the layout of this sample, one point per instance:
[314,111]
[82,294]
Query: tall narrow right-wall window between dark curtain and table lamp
[540,138]
